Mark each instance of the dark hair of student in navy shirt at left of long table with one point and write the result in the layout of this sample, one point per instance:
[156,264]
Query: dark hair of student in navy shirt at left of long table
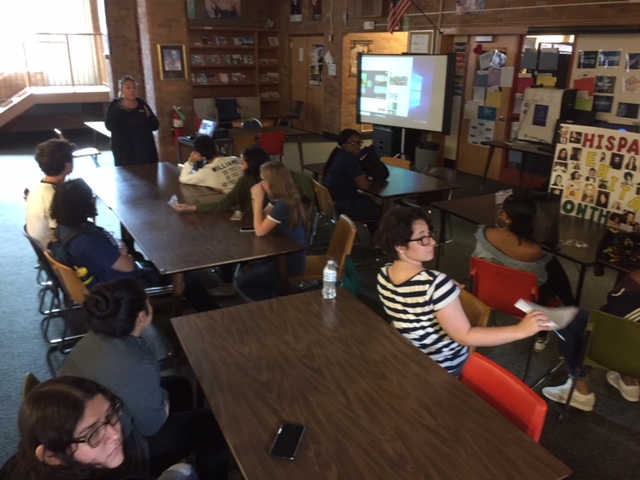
[73,203]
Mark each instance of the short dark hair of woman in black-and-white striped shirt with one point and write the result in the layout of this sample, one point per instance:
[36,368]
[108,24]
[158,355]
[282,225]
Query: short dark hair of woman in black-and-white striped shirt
[396,228]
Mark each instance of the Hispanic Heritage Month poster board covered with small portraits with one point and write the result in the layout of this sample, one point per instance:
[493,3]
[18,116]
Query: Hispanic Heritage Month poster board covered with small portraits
[596,172]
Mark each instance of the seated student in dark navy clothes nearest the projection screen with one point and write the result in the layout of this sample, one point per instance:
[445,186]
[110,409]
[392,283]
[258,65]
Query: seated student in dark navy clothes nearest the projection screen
[344,176]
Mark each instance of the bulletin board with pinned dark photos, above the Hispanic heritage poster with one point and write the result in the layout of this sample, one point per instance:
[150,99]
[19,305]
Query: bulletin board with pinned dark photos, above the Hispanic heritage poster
[606,72]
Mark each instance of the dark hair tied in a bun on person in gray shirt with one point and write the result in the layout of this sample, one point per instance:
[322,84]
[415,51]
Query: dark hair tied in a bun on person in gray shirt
[114,307]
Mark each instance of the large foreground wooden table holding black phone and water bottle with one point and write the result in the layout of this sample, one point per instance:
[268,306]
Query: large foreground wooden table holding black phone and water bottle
[374,406]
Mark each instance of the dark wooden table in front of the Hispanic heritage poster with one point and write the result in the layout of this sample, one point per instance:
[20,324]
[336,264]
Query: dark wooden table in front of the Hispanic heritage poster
[482,210]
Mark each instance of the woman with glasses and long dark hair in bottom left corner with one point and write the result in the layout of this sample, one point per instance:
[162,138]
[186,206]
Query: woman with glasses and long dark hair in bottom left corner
[71,427]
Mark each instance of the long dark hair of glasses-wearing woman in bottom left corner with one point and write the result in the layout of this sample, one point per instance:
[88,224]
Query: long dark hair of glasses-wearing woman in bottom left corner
[49,416]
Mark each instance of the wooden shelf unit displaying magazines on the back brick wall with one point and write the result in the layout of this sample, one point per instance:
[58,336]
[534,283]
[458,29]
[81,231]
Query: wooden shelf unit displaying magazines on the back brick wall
[236,63]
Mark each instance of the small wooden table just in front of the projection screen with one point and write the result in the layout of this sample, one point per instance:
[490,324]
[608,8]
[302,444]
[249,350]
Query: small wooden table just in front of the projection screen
[401,183]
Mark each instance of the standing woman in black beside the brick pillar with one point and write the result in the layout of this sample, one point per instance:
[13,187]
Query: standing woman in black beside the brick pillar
[131,123]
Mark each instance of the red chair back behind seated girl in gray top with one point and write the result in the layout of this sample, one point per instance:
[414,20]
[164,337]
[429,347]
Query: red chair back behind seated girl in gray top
[500,287]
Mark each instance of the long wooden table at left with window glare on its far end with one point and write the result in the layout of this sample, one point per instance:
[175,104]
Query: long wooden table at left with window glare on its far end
[178,243]
